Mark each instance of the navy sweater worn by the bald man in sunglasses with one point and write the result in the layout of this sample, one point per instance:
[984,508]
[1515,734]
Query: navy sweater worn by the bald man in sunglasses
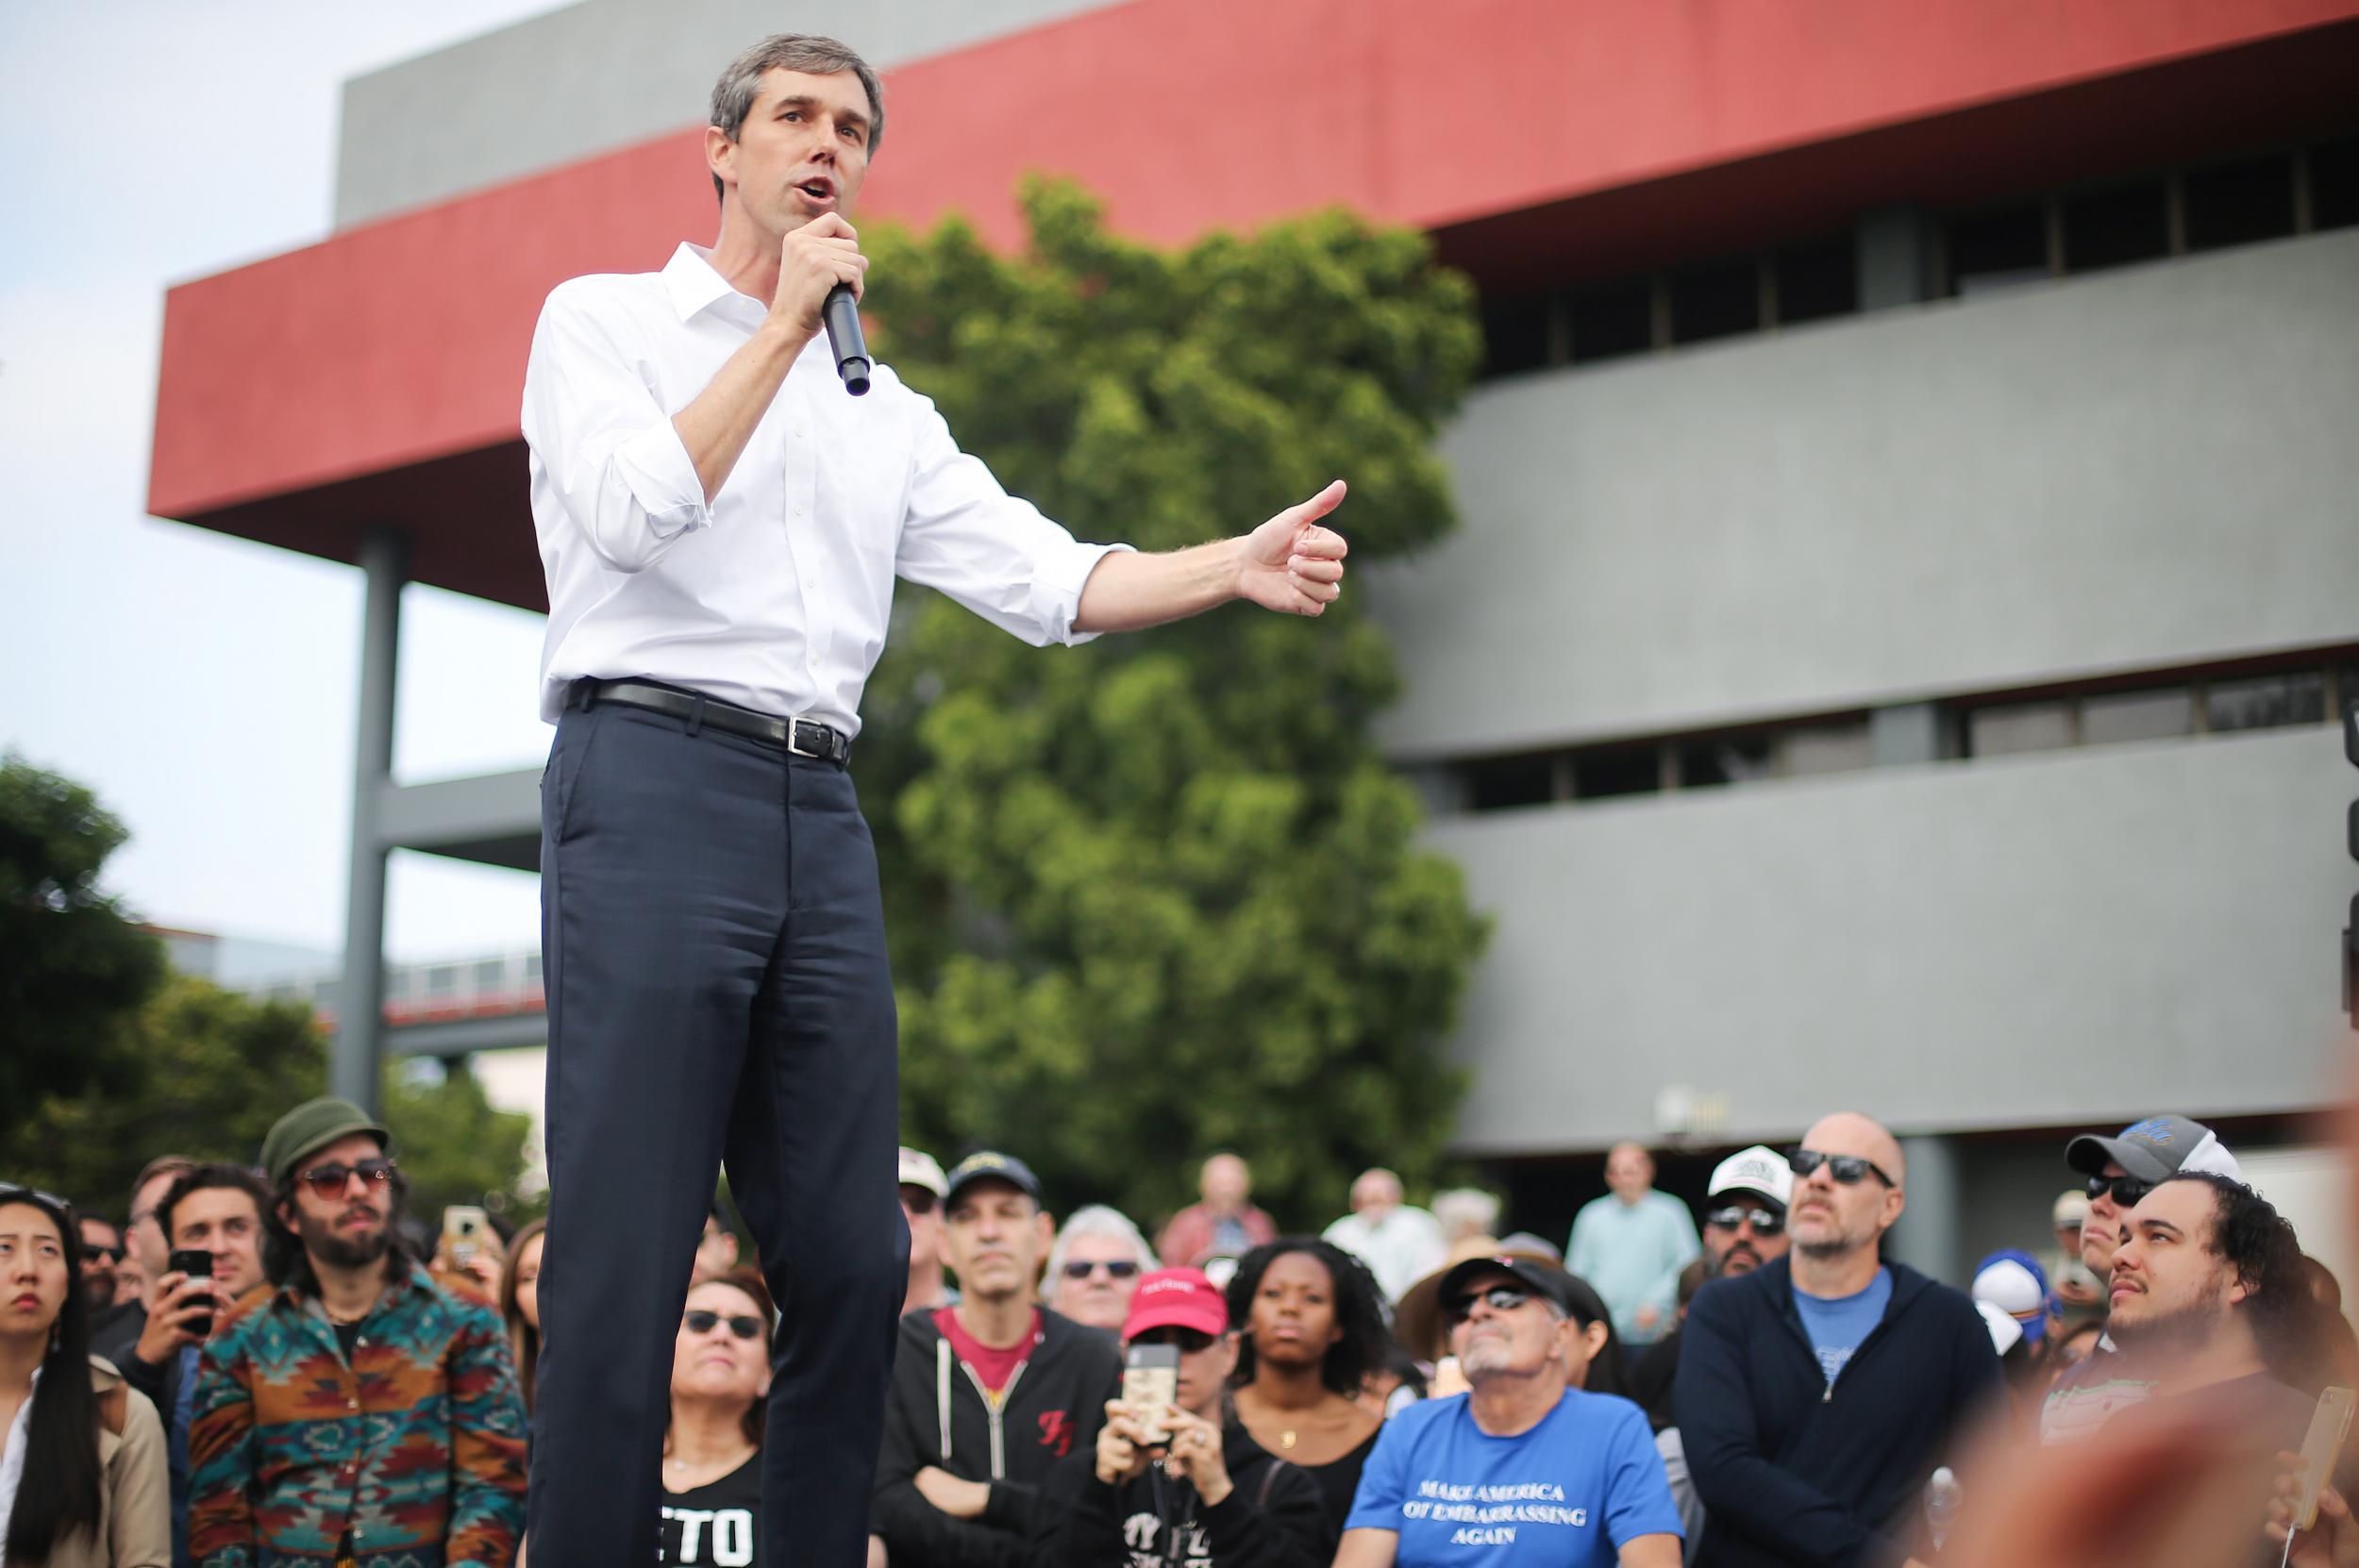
[1799,1473]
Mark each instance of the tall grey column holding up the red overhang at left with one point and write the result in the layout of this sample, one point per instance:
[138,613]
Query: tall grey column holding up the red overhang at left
[360,1017]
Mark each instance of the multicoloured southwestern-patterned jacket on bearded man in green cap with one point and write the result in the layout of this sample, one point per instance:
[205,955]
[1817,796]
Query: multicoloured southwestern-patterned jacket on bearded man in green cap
[407,1458]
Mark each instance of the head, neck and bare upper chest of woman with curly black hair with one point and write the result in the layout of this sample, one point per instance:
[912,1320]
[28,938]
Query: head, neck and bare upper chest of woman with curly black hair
[1313,1331]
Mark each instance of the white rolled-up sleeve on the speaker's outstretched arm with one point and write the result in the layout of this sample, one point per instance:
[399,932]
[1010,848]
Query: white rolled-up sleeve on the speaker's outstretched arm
[985,548]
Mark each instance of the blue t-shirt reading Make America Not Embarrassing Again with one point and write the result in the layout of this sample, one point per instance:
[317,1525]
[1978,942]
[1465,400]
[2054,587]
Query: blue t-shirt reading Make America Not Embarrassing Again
[1570,1494]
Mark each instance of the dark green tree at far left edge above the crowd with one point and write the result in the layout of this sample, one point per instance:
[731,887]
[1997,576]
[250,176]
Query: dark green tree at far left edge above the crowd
[72,966]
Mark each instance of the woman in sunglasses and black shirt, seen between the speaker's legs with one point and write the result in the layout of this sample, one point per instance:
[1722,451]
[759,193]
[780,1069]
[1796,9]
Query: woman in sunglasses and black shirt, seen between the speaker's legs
[714,1447]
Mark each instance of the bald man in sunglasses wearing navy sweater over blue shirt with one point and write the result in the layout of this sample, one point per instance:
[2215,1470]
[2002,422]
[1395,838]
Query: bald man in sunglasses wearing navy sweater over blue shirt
[1820,1392]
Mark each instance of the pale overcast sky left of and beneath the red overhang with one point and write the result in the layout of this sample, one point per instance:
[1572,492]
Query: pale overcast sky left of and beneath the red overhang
[202,685]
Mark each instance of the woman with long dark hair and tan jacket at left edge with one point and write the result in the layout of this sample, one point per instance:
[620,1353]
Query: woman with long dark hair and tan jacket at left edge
[84,1461]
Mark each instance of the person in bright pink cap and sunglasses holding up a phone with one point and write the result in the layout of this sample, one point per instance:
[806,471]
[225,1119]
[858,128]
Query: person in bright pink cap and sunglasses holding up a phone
[1181,1482]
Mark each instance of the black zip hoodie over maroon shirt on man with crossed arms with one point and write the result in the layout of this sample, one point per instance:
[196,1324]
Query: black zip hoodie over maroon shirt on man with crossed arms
[935,1414]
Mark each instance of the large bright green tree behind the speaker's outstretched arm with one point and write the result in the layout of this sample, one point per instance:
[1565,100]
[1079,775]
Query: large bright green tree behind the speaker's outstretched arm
[1159,895]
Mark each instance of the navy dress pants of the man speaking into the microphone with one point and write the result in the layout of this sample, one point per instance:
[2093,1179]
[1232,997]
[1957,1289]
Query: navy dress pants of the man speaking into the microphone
[714,954]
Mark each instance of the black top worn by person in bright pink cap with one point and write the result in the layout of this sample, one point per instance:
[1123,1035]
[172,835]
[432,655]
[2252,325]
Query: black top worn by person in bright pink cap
[1270,1520]
